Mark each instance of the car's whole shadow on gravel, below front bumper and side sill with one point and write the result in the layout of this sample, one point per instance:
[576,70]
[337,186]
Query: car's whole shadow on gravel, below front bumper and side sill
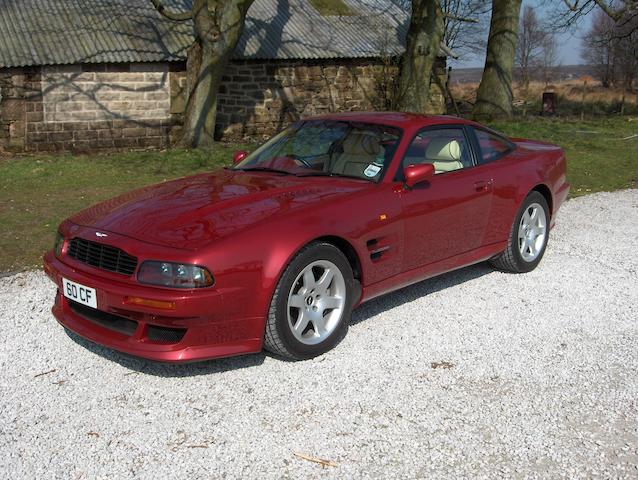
[367,310]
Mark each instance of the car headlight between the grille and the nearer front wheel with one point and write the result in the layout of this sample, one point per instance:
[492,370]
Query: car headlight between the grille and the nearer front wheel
[175,275]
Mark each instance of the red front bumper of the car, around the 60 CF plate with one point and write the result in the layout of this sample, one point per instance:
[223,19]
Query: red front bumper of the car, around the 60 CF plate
[197,327]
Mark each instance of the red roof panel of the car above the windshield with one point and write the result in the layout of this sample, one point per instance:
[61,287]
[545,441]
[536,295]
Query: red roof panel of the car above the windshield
[397,119]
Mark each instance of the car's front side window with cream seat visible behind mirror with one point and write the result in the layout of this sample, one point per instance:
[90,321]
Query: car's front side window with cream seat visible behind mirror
[446,148]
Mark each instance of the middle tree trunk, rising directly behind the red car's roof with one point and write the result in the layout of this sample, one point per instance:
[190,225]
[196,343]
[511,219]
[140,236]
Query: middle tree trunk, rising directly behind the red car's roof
[422,48]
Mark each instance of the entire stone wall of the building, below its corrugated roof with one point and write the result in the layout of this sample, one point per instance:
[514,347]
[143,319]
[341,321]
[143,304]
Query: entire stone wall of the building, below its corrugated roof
[90,107]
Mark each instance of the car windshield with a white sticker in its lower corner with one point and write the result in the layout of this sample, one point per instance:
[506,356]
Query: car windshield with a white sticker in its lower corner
[327,148]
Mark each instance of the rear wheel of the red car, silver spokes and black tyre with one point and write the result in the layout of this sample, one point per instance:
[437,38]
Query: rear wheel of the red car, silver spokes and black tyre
[528,237]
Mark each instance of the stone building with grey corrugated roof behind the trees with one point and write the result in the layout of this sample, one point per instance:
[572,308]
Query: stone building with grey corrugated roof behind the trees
[86,75]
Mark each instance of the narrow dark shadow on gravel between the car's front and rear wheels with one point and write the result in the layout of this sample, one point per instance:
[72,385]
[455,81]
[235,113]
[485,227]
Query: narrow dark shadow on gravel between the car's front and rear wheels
[413,292]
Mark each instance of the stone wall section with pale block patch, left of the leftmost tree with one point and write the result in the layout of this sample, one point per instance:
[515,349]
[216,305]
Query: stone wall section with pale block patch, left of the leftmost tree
[86,107]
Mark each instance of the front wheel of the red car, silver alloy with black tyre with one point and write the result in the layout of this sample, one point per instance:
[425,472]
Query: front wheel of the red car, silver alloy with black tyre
[311,307]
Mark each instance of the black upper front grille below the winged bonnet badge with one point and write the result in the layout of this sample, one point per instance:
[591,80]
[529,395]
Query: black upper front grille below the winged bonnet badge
[102,256]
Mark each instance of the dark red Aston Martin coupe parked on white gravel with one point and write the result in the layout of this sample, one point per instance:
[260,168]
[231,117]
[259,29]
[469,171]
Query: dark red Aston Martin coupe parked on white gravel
[275,251]
